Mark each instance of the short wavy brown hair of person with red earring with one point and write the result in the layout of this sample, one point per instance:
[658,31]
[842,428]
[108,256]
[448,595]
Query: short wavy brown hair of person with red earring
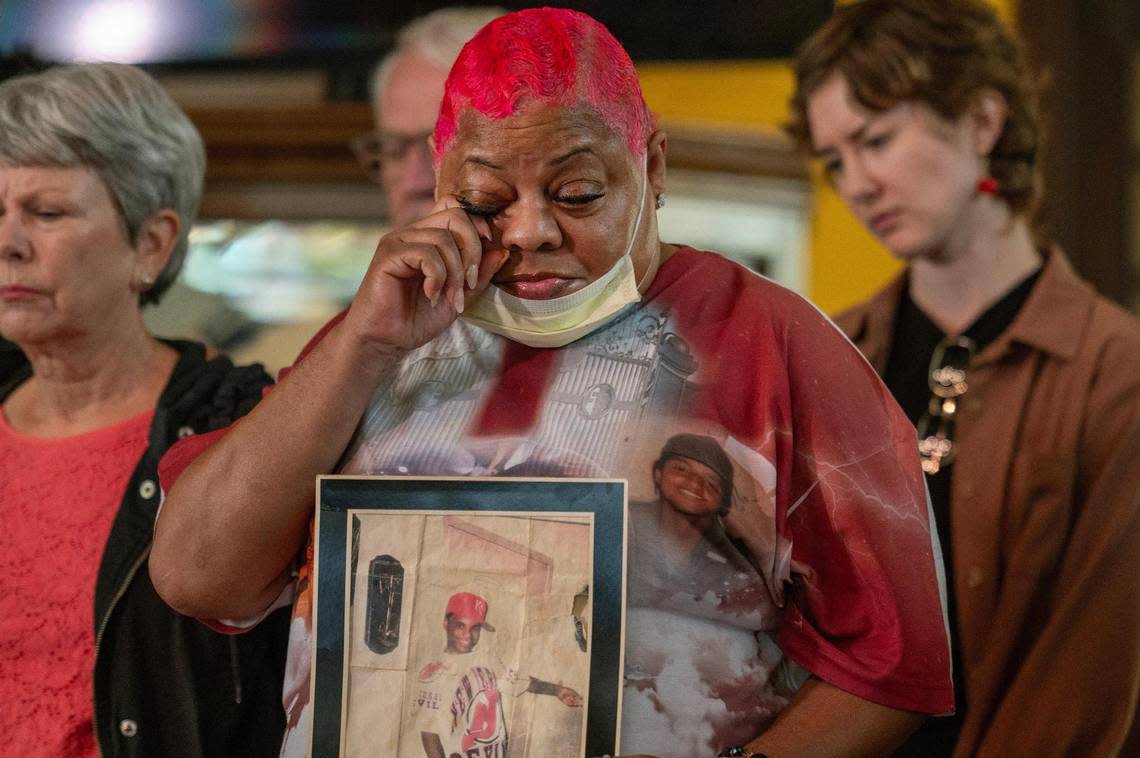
[941,53]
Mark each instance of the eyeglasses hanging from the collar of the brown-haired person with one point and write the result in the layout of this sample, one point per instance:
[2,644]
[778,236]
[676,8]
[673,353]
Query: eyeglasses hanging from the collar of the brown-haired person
[948,384]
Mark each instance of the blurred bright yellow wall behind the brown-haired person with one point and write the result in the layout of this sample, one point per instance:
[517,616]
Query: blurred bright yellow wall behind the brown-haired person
[846,265]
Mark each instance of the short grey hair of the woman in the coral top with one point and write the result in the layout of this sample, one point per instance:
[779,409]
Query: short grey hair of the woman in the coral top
[118,121]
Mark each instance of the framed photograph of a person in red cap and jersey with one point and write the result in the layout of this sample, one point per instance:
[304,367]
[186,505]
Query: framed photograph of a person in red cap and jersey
[471,618]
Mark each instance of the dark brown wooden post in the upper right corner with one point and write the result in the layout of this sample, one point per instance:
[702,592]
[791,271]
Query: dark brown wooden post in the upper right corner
[1087,51]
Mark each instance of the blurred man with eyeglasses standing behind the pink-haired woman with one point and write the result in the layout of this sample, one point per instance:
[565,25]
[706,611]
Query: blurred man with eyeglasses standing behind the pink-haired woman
[408,88]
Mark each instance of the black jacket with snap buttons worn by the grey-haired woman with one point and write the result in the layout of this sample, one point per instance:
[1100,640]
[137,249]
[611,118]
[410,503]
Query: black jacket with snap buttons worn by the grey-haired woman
[165,684]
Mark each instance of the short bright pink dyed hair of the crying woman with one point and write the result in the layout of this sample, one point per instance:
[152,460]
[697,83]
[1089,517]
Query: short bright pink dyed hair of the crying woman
[550,55]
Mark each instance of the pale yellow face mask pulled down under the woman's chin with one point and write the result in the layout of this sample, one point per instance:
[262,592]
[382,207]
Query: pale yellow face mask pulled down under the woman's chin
[560,321]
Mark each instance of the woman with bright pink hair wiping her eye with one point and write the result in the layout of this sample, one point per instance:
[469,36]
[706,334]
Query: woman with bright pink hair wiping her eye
[535,324]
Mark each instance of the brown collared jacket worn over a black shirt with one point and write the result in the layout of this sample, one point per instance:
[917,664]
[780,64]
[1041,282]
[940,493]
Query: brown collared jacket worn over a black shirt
[1046,521]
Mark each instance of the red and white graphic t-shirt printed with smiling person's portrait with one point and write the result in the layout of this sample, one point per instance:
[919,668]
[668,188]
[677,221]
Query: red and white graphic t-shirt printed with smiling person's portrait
[820,560]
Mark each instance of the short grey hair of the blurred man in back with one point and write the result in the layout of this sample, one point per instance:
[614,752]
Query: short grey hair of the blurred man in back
[438,37]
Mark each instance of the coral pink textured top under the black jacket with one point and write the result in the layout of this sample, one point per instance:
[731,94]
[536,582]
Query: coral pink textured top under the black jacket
[59,498]
